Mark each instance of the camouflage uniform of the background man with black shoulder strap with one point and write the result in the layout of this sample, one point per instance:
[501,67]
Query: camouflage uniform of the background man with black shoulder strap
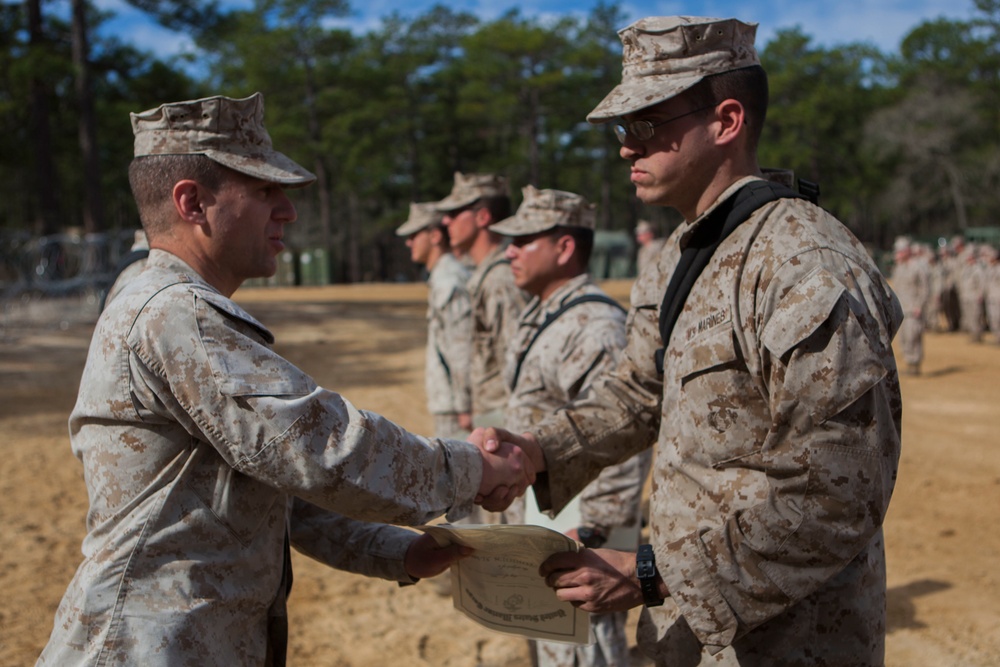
[582,343]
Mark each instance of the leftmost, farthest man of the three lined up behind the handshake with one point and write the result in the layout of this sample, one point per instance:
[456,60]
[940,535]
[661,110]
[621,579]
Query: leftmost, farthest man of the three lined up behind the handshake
[449,322]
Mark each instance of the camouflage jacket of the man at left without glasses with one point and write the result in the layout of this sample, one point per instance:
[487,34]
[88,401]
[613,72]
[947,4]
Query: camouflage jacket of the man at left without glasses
[202,448]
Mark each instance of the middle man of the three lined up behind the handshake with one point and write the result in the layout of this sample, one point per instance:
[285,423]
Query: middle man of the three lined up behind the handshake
[476,202]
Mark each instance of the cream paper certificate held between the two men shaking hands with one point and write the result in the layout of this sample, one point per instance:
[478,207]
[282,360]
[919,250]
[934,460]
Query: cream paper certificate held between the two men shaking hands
[499,587]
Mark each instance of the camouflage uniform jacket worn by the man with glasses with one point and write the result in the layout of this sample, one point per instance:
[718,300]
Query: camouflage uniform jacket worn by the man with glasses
[778,424]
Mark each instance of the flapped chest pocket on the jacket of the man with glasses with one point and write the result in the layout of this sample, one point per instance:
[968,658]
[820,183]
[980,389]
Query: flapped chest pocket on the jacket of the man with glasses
[718,404]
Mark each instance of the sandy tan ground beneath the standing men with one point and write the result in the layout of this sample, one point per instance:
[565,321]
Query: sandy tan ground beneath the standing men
[366,342]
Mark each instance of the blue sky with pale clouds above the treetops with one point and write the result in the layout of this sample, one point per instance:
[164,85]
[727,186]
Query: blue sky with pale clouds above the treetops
[879,22]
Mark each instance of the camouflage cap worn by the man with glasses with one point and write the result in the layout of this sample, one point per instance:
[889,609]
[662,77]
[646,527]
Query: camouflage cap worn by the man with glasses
[663,56]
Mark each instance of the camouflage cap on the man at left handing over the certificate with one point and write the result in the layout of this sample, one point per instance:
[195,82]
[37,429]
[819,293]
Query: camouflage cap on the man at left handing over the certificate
[226,130]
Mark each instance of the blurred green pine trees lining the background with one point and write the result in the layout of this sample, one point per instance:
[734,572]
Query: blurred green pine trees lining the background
[898,142]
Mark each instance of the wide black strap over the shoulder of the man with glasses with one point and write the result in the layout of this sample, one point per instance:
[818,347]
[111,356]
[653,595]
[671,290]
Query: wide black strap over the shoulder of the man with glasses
[710,234]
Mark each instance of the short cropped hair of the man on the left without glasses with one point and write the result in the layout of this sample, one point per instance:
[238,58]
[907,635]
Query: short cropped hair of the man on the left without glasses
[152,179]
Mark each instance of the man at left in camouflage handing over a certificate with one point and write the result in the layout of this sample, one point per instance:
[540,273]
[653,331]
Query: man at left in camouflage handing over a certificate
[205,454]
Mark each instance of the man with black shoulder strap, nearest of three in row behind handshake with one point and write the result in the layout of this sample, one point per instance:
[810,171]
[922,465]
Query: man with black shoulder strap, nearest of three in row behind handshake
[550,365]
